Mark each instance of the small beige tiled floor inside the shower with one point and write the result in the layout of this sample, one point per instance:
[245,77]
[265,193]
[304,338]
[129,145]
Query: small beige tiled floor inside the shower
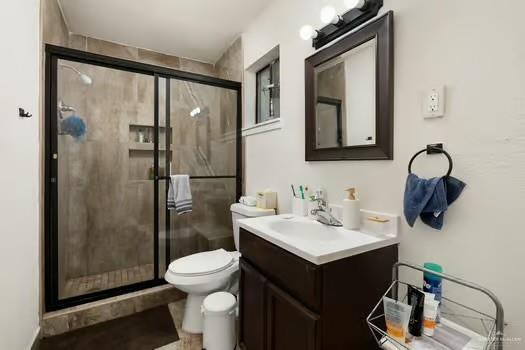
[107,280]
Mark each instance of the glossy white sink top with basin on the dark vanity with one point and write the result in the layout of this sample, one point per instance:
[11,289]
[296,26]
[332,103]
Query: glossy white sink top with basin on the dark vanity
[314,241]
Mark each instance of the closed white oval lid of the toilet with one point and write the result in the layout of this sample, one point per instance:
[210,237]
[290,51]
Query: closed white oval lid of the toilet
[202,263]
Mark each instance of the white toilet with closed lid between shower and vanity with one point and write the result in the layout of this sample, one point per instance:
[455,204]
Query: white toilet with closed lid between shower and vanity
[204,273]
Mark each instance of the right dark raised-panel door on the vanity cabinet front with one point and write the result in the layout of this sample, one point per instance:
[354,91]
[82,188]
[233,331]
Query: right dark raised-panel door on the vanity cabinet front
[289,325]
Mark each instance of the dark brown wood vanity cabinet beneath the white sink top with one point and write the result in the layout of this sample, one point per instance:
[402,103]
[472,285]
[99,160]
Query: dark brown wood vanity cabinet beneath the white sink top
[288,303]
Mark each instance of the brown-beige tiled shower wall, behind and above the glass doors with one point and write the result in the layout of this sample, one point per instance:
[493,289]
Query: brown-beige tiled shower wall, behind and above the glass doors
[102,242]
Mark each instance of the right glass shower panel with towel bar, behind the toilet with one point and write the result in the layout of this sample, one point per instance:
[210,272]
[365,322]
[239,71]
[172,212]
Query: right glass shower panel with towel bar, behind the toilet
[203,142]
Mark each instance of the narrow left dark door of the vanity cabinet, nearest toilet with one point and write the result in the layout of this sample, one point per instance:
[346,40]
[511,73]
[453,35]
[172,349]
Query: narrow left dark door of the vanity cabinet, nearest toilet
[252,308]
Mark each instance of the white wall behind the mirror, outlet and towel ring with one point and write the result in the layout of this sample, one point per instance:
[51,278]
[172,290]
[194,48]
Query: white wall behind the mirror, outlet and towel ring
[476,48]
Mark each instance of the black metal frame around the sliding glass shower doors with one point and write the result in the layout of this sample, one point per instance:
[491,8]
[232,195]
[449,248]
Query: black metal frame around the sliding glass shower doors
[52,55]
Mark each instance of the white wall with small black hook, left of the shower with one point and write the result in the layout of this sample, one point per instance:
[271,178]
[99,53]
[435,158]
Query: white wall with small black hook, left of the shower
[19,174]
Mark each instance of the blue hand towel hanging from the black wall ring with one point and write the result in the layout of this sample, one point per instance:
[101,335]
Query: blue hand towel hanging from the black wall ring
[430,198]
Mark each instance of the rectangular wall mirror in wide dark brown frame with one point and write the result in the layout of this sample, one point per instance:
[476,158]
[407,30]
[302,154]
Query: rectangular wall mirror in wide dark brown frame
[349,96]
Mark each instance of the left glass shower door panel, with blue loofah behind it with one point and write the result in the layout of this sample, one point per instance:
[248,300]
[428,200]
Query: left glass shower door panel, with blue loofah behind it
[104,155]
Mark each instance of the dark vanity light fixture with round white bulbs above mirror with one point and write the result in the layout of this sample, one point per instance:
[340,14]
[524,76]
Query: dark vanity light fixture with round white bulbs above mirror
[359,12]
